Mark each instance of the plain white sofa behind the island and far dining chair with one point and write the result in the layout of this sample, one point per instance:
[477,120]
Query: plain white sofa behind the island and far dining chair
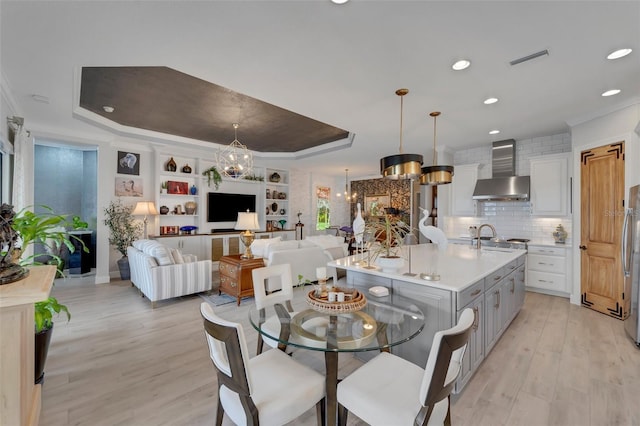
[304,256]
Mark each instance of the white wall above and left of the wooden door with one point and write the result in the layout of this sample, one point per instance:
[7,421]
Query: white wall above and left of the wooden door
[617,126]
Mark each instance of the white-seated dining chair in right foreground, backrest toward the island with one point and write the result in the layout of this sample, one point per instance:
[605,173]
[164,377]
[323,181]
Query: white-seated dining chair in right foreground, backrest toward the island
[389,390]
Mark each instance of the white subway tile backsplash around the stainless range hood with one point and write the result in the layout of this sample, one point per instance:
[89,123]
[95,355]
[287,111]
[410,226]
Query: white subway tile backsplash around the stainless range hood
[512,219]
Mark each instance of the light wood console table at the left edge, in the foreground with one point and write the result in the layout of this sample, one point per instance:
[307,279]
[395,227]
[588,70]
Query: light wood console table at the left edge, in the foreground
[19,397]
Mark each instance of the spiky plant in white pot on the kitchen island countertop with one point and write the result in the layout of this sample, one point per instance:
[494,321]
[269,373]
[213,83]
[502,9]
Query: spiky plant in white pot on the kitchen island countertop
[386,235]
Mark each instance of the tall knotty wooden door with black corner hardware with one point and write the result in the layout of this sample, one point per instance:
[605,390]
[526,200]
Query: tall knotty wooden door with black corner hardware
[602,214]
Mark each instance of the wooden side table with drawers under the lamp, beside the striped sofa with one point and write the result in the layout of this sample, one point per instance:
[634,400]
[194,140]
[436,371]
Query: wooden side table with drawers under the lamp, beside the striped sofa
[235,275]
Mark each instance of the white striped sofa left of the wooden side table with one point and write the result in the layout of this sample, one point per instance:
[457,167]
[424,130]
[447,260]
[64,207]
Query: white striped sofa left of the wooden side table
[161,272]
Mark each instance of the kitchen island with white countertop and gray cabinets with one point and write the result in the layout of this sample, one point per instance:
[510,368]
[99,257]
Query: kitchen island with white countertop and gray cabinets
[490,281]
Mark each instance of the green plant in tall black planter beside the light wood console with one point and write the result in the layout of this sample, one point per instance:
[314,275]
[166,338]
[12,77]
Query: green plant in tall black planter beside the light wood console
[43,320]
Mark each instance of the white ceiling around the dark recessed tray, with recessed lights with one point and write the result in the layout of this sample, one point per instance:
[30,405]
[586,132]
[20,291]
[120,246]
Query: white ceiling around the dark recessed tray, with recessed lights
[342,64]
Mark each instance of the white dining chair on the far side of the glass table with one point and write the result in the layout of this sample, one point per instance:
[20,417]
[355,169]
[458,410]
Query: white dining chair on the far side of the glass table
[266,300]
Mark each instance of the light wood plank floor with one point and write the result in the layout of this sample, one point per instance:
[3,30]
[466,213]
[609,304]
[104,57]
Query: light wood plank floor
[118,362]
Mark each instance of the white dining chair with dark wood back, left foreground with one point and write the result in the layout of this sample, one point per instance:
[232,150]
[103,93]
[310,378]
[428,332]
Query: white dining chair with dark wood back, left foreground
[269,389]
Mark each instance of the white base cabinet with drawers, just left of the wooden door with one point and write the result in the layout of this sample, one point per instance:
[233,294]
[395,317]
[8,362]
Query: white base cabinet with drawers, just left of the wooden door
[548,270]
